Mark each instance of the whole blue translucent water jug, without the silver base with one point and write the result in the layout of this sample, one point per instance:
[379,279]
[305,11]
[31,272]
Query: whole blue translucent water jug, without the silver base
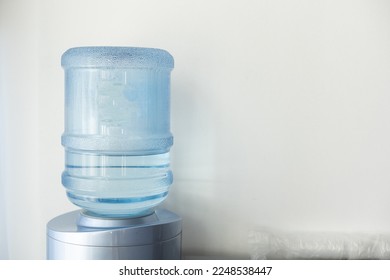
[117,129]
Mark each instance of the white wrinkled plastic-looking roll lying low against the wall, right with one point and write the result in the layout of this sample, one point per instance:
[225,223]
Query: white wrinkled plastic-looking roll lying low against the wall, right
[276,245]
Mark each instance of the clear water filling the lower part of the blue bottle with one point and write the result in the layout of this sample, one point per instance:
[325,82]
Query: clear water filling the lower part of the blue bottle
[117,185]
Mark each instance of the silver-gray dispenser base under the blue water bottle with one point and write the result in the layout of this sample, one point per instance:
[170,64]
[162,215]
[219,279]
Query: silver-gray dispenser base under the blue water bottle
[77,235]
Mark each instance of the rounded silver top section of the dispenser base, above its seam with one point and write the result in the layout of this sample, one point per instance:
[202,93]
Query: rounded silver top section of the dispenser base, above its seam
[75,228]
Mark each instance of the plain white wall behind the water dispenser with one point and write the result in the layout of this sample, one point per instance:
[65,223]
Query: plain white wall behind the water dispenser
[279,112]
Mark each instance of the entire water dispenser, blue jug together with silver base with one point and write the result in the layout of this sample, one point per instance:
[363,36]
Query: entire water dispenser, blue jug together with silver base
[117,169]
